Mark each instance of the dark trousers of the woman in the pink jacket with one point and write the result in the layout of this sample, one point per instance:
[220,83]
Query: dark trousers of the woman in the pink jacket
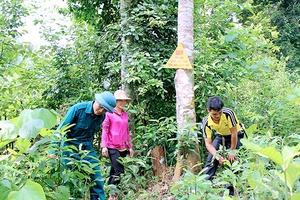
[116,167]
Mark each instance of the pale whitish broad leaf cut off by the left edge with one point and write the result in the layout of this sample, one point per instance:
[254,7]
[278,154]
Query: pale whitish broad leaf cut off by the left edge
[8,131]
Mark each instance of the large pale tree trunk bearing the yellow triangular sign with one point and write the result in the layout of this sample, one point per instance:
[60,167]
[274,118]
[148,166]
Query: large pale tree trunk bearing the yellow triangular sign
[184,84]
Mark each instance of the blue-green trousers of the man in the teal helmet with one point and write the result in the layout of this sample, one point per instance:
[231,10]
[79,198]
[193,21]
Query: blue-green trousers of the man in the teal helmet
[96,191]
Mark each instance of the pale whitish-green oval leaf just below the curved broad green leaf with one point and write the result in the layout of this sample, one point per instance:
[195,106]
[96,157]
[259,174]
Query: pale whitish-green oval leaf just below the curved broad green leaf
[31,128]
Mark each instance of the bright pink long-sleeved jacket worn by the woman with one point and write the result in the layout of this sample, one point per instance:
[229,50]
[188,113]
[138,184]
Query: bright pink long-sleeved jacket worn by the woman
[115,131]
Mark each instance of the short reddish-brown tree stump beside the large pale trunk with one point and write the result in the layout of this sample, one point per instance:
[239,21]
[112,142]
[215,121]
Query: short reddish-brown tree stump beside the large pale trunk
[158,161]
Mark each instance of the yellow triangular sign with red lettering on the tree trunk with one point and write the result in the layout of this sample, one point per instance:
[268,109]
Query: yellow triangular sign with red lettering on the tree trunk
[179,59]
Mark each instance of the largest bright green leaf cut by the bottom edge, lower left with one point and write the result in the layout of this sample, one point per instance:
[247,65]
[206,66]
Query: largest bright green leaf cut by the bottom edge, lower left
[31,190]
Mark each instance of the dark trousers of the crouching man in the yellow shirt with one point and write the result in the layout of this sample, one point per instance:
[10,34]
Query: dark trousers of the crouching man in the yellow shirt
[213,165]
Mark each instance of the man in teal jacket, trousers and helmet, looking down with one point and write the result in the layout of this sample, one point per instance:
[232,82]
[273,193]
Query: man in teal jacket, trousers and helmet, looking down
[86,119]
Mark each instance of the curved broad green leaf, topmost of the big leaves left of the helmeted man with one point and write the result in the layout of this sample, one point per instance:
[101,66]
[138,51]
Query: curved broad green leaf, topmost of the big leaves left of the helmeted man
[49,118]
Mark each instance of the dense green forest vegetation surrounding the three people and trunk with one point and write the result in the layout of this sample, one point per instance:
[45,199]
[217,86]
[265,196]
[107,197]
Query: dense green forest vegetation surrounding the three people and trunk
[246,51]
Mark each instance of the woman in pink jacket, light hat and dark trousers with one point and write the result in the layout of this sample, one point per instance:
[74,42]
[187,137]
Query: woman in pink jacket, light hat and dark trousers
[116,140]
